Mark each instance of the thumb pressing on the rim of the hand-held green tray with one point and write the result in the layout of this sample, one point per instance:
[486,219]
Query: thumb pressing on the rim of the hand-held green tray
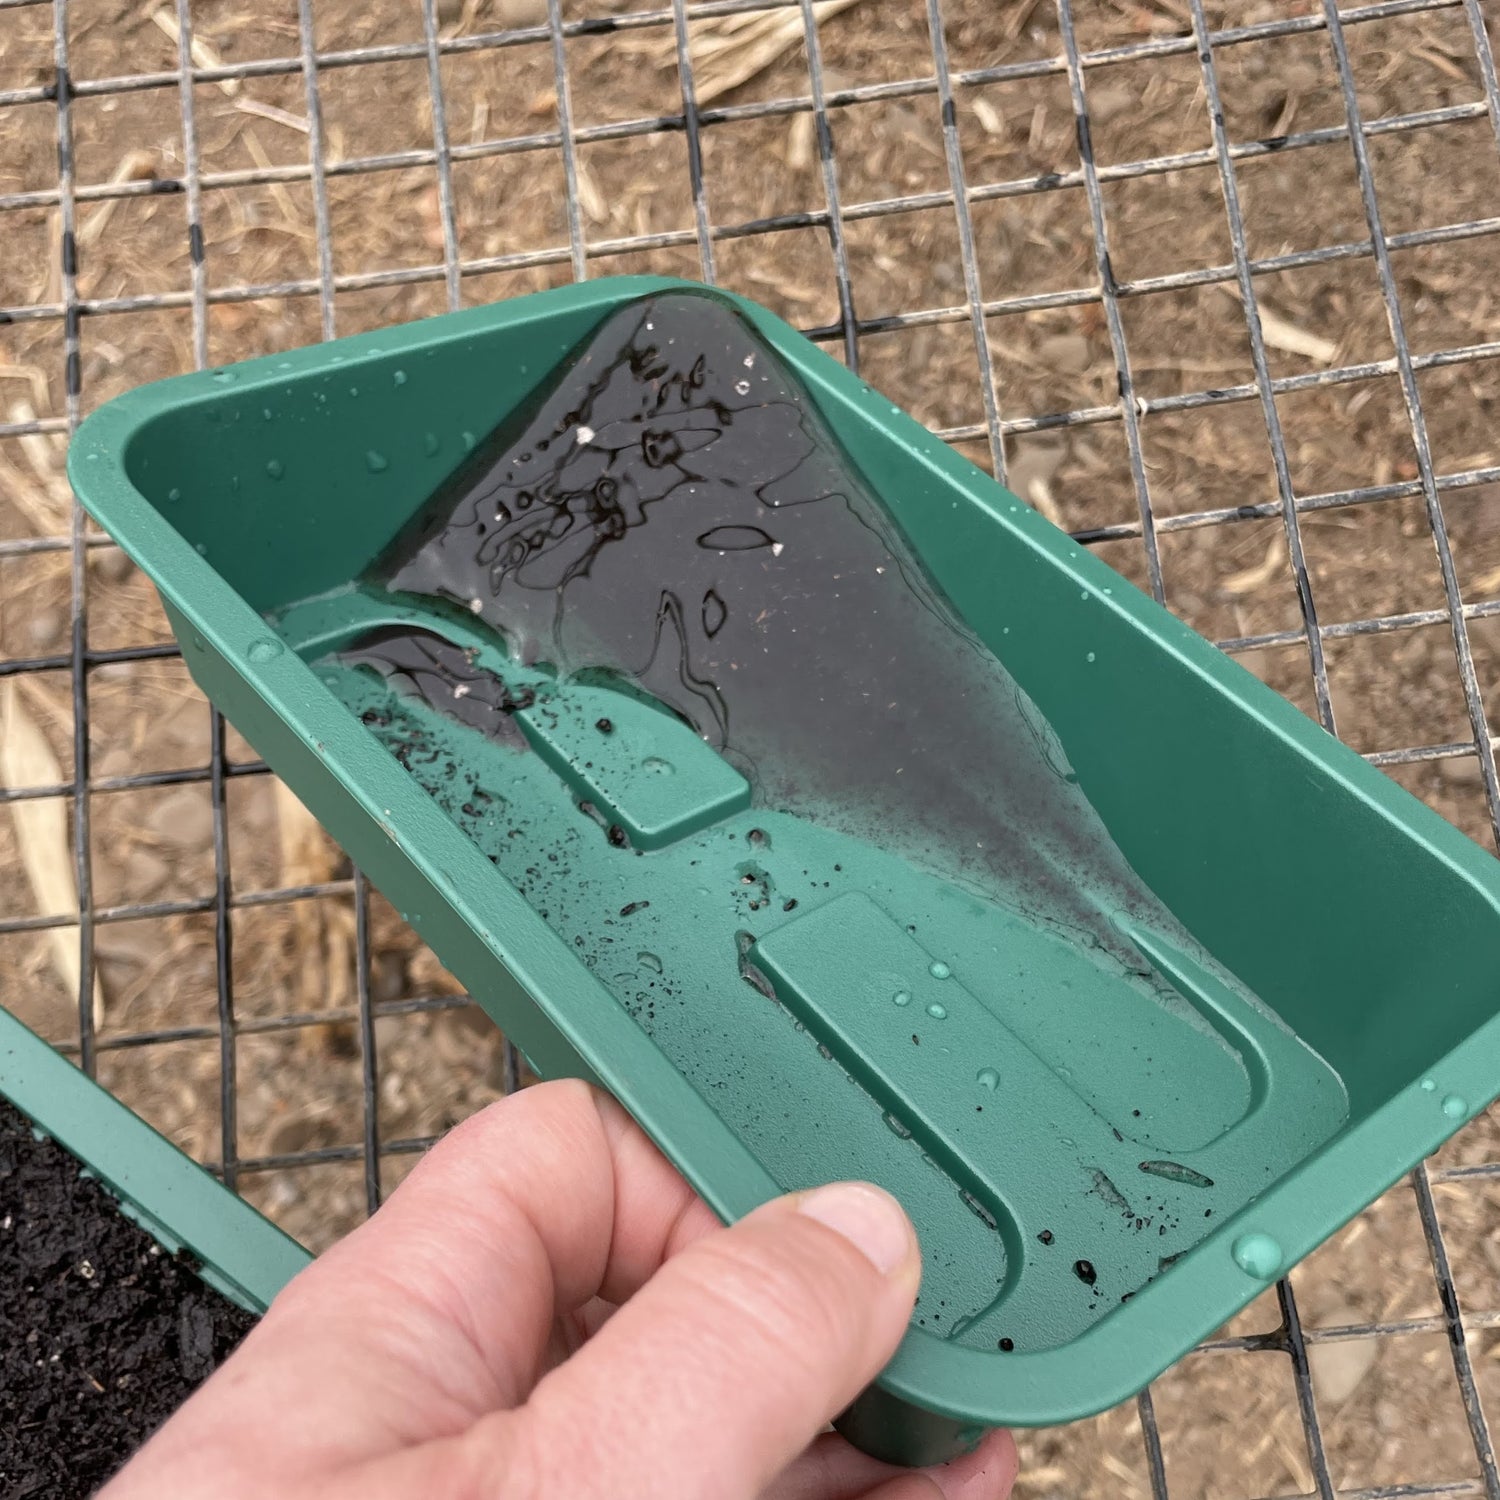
[730,1361]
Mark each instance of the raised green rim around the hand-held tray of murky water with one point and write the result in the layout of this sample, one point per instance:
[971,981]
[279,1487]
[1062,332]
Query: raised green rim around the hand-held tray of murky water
[1129,1348]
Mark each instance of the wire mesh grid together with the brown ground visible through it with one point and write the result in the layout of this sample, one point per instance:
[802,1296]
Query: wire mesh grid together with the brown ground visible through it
[1102,266]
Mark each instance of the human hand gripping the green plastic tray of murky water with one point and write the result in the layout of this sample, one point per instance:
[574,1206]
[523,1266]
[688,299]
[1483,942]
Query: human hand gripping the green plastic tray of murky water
[545,1310]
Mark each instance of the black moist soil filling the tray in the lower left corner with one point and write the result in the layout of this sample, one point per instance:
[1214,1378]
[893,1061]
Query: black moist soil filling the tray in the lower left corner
[103,1334]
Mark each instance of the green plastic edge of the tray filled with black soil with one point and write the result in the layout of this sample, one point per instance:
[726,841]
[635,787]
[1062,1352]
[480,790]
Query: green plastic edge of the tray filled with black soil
[169,1195]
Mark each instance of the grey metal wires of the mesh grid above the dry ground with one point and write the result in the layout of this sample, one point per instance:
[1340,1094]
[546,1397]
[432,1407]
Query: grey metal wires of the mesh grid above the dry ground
[1073,67]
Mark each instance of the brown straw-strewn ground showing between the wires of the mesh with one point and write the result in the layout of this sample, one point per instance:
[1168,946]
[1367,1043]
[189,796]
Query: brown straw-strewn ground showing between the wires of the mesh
[1231,1423]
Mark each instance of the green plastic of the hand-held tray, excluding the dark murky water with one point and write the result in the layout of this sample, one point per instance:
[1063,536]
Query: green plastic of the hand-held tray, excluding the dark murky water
[1099,1180]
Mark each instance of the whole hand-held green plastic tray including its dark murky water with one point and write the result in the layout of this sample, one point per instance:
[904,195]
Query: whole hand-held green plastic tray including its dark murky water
[745,749]
